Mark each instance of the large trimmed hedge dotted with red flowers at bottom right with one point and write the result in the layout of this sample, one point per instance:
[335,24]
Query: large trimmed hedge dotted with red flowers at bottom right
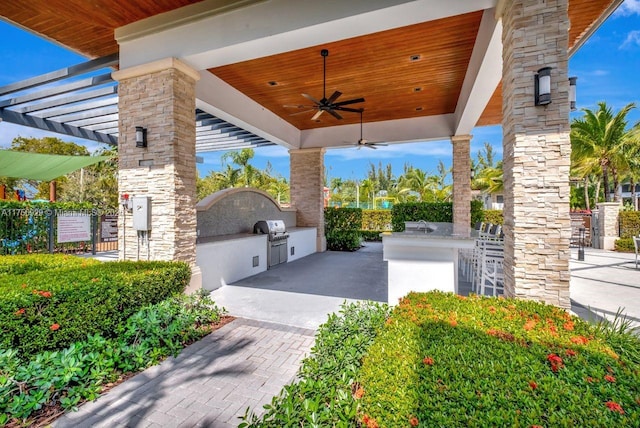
[446,360]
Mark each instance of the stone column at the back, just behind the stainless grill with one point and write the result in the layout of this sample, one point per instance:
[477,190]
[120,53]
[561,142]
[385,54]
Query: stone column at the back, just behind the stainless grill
[306,188]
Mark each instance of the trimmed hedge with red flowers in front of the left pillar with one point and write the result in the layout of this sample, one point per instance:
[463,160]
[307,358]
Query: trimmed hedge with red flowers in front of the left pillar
[50,309]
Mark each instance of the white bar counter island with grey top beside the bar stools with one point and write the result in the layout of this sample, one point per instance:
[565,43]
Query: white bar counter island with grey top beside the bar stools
[422,262]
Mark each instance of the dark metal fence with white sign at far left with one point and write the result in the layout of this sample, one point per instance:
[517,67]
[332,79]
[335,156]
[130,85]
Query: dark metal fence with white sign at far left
[32,230]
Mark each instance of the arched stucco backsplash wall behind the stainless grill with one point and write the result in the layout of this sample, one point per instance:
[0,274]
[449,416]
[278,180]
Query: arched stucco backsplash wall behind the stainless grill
[236,210]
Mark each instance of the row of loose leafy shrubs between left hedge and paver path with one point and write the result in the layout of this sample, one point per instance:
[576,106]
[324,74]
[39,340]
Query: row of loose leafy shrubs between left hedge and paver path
[66,377]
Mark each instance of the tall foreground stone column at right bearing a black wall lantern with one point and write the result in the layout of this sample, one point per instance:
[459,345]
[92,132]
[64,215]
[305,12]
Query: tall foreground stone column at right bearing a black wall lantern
[536,152]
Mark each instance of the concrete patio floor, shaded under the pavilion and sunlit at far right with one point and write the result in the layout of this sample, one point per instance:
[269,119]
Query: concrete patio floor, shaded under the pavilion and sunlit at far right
[303,292]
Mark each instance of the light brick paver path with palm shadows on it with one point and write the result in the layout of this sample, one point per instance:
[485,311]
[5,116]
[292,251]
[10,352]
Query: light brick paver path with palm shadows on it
[211,383]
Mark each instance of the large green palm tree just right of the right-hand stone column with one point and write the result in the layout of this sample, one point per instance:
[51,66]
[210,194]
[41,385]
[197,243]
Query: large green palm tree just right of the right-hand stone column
[599,137]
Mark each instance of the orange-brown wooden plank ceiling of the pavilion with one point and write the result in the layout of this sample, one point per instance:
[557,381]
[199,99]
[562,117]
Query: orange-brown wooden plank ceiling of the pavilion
[377,67]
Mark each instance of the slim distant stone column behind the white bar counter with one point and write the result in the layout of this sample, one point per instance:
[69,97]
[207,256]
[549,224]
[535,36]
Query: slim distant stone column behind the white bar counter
[461,182]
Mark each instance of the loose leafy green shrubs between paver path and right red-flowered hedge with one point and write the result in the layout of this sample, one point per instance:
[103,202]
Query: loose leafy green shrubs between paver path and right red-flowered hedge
[324,394]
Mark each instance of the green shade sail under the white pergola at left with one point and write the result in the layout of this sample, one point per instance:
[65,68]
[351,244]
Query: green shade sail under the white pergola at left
[36,166]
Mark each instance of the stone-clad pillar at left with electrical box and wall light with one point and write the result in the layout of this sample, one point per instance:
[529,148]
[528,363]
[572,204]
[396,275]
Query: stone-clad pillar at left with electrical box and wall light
[159,96]
